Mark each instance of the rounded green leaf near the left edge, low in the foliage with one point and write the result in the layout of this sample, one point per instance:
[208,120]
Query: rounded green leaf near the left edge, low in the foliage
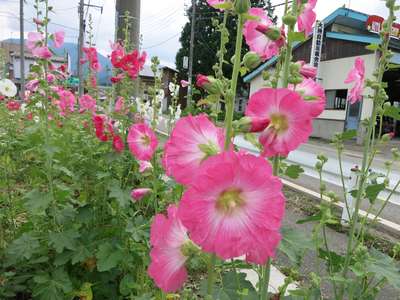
[24,247]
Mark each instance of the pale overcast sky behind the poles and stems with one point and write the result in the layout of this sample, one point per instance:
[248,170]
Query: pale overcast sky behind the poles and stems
[161,21]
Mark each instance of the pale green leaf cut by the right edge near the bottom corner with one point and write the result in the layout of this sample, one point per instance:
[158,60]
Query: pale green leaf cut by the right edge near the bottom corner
[384,266]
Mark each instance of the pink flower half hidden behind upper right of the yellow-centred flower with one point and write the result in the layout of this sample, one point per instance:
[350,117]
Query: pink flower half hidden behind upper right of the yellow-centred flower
[313,95]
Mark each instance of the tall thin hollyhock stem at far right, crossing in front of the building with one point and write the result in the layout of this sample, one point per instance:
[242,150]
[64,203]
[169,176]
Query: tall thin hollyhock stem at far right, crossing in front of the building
[367,145]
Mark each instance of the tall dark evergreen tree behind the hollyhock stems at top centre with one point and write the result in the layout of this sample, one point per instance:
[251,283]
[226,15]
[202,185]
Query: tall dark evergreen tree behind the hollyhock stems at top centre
[207,38]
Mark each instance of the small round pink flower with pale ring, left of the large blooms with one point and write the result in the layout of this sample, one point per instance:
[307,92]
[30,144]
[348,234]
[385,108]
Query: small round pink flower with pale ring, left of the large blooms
[142,141]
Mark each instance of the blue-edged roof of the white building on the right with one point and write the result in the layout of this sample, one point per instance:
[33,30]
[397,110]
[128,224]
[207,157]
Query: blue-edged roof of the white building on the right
[343,16]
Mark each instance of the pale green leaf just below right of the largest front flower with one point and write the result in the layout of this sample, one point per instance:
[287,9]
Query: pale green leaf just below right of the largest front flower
[295,243]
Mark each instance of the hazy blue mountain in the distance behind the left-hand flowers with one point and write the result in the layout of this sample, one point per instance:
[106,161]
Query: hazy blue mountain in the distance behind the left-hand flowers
[72,49]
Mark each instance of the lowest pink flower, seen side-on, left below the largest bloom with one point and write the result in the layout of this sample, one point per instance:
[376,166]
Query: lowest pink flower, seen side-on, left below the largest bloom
[168,237]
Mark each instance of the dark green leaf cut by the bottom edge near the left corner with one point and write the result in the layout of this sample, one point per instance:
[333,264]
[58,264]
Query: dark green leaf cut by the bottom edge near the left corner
[52,286]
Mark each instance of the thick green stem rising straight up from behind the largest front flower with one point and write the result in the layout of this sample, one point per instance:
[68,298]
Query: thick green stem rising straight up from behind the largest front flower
[230,99]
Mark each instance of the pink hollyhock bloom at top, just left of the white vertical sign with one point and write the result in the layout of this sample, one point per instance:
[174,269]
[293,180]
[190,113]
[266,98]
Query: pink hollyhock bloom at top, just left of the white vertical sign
[255,34]
